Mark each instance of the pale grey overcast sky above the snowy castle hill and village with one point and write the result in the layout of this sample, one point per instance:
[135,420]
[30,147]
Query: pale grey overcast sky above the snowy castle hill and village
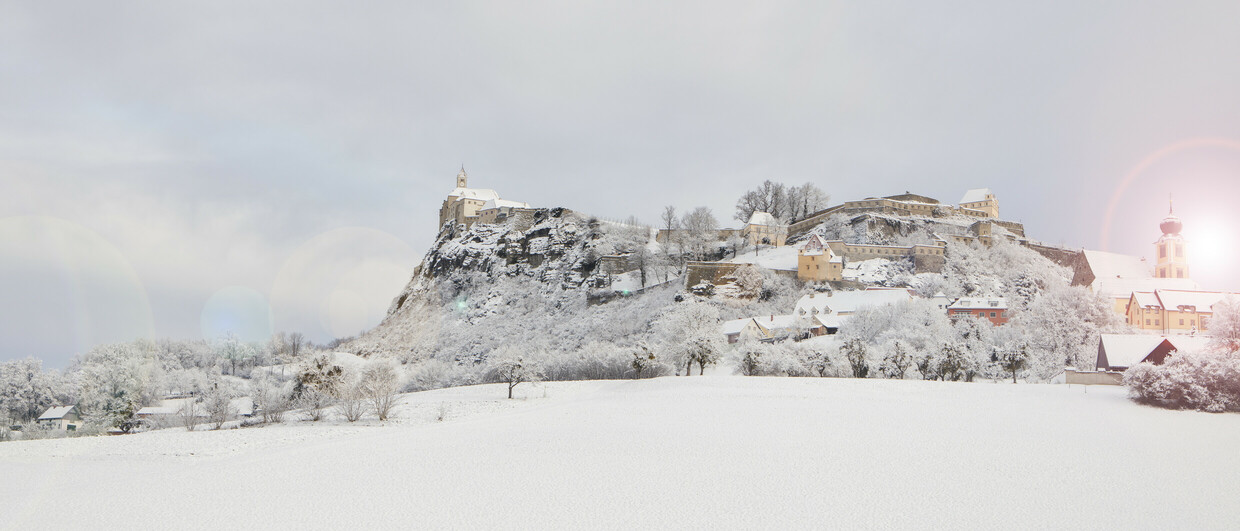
[180,171]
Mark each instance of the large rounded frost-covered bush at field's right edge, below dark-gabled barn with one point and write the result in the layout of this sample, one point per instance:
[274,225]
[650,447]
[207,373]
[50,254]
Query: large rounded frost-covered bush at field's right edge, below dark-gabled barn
[1206,382]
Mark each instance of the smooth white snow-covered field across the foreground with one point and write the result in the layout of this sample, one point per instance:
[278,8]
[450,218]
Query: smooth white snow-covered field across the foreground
[702,452]
